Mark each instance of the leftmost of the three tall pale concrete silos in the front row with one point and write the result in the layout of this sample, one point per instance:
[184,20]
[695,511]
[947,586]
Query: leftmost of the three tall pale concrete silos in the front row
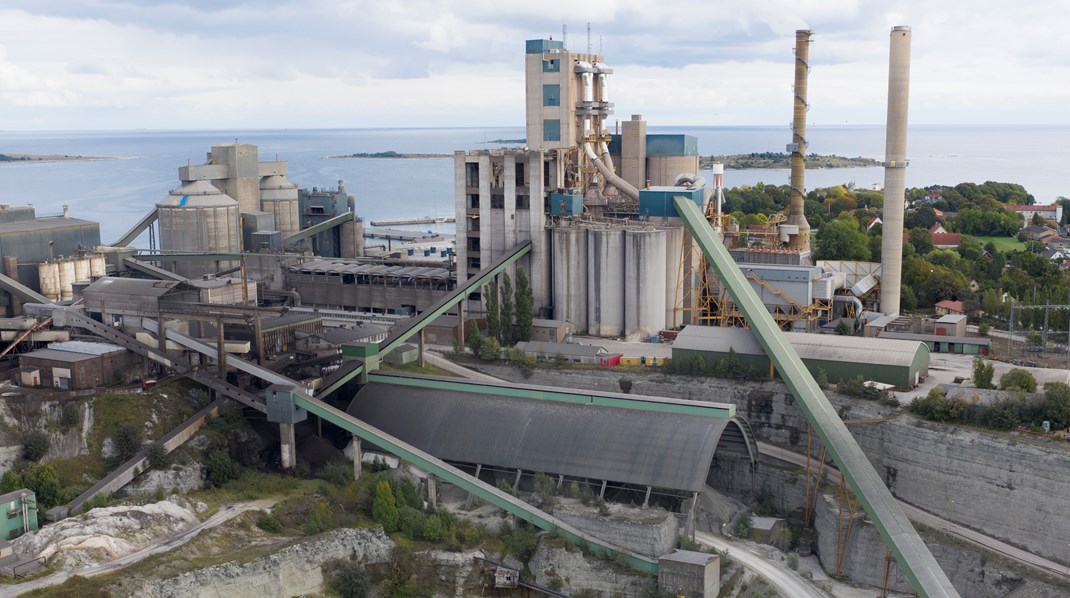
[571,277]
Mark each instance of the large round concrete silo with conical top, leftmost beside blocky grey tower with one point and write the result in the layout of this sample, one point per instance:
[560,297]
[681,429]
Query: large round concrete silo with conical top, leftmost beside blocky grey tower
[198,218]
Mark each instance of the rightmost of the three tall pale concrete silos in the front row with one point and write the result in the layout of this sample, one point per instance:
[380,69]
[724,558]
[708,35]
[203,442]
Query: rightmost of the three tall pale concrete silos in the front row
[645,283]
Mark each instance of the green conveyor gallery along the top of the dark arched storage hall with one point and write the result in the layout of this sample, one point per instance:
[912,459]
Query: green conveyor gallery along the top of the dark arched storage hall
[720,411]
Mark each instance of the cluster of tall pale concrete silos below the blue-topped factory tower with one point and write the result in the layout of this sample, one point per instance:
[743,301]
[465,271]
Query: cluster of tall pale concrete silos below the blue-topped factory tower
[615,280]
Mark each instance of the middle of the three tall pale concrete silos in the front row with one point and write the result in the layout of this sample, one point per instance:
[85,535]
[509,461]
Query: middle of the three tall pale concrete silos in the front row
[606,283]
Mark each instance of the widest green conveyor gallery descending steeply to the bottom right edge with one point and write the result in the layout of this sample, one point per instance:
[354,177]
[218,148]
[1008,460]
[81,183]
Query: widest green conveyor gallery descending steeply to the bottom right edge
[922,570]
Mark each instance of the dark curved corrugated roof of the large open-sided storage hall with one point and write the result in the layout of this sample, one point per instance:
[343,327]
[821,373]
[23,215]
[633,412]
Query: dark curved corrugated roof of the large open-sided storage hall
[640,448]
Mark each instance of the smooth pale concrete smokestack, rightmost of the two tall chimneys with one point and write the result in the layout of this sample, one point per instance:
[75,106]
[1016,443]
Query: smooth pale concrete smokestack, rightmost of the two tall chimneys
[895,171]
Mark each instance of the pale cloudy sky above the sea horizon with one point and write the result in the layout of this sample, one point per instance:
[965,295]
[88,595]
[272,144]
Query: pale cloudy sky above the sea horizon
[117,65]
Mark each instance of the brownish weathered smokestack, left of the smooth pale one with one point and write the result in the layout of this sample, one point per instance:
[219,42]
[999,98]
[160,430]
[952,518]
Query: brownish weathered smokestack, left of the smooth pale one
[798,148]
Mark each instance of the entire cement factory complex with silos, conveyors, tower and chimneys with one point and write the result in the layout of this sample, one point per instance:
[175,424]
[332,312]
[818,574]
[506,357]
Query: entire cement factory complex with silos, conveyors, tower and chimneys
[270,296]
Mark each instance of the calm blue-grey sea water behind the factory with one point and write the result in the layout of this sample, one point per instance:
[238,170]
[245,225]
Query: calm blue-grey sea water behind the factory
[118,193]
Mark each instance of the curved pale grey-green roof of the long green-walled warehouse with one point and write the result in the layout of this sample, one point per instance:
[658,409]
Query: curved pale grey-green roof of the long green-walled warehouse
[834,348]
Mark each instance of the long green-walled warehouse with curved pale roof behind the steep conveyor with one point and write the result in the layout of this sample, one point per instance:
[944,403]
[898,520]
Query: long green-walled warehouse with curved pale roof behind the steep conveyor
[898,362]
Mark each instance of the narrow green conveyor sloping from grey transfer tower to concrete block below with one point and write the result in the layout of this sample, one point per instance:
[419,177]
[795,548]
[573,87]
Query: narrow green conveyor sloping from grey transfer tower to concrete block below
[470,484]
